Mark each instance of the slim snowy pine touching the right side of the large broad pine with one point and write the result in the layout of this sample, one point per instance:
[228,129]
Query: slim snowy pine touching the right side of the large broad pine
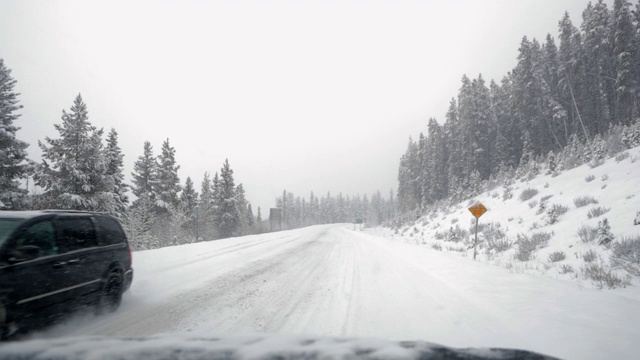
[115,173]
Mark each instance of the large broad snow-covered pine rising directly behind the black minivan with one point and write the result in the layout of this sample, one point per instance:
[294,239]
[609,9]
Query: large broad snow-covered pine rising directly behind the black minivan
[73,168]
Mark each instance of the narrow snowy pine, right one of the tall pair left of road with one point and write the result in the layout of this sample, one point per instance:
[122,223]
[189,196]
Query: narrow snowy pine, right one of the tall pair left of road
[168,181]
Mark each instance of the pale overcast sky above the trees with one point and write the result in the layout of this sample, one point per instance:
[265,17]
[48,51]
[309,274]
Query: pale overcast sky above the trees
[298,95]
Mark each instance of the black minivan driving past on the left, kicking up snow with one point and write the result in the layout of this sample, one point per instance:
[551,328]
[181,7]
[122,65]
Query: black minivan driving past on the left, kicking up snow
[53,262]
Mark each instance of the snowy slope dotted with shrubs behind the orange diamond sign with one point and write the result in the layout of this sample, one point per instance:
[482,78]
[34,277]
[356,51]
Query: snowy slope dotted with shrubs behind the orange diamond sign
[552,224]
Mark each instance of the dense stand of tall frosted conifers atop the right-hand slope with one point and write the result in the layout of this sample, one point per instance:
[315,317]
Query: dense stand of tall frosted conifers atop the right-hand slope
[578,93]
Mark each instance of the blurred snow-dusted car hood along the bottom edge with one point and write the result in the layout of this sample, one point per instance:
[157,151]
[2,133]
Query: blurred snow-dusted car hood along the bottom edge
[243,347]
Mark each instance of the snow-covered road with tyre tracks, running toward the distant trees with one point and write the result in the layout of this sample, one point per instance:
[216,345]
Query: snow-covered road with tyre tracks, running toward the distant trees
[331,280]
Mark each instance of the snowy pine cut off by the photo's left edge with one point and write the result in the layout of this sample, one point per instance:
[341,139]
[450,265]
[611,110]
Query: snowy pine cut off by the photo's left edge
[13,154]
